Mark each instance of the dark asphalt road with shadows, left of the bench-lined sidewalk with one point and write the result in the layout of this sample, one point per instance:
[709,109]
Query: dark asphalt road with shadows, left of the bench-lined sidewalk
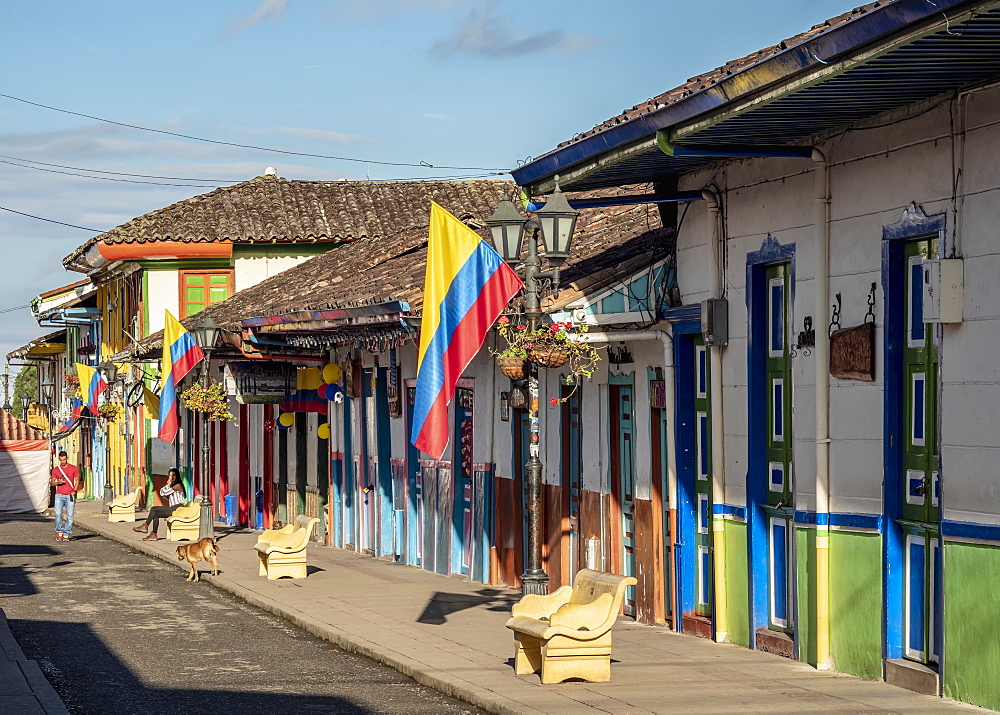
[117,631]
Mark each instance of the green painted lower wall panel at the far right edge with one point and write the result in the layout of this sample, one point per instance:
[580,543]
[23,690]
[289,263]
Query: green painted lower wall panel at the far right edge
[971,626]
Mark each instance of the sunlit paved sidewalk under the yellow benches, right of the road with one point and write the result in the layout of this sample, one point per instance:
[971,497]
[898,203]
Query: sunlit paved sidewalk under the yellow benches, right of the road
[449,634]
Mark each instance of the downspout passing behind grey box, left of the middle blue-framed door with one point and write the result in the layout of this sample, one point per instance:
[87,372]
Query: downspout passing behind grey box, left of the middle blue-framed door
[718,441]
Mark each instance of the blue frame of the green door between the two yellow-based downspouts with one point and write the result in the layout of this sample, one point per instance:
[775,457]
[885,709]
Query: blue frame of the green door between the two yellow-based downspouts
[771,251]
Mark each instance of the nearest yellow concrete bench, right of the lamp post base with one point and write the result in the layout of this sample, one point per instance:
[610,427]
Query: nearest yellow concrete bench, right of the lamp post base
[567,634]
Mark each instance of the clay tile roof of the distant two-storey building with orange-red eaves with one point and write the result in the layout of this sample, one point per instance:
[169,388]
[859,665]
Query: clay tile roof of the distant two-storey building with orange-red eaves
[272,209]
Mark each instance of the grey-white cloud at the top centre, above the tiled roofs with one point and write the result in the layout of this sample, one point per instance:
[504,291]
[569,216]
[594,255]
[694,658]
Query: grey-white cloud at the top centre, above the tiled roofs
[489,34]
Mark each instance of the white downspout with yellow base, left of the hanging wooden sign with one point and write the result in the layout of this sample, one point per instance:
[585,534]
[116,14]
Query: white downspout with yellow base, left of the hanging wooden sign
[822,352]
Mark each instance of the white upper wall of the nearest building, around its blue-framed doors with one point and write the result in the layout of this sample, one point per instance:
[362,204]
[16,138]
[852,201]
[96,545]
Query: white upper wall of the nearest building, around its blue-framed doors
[874,176]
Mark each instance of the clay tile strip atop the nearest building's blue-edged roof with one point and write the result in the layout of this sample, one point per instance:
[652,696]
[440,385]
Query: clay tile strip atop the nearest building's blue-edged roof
[707,79]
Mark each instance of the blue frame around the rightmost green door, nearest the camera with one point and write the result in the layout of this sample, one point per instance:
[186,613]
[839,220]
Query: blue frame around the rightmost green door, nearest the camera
[912,225]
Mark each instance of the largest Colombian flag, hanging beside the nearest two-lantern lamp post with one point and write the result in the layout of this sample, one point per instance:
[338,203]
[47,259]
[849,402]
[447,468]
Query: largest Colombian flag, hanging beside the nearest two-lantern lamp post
[467,285]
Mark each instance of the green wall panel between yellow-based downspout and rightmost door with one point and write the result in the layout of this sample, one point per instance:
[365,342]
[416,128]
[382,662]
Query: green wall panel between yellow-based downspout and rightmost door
[856,603]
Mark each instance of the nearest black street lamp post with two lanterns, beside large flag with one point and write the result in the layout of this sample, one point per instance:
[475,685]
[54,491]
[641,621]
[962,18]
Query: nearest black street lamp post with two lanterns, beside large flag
[556,221]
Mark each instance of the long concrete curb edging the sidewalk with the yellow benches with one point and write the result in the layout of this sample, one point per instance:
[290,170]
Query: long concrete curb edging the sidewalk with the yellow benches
[438,680]
